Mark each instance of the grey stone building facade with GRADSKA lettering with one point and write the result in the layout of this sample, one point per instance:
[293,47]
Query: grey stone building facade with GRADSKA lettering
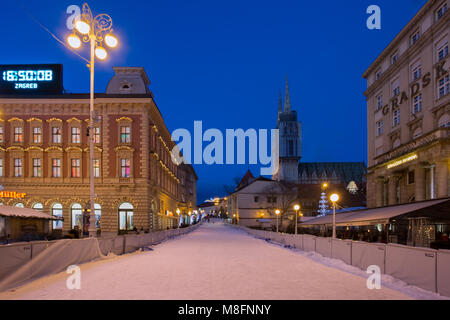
[408,112]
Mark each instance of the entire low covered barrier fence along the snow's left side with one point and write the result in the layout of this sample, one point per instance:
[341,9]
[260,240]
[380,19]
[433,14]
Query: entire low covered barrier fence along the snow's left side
[26,261]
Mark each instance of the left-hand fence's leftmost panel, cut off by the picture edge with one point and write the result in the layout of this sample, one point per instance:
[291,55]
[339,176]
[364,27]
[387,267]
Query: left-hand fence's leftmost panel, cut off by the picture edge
[12,256]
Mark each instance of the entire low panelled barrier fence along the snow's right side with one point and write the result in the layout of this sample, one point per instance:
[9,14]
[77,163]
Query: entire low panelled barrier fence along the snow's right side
[422,267]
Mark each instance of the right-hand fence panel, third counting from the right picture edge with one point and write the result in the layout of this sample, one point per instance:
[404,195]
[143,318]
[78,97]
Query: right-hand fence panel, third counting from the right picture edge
[365,254]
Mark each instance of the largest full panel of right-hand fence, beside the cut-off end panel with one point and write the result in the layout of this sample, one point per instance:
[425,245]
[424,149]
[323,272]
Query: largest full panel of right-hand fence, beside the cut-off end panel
[416,266]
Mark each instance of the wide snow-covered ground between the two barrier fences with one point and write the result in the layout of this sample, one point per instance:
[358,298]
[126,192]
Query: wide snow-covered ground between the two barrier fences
[218,262]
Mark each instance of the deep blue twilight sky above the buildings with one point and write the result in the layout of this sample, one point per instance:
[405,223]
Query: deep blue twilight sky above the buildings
[223,62]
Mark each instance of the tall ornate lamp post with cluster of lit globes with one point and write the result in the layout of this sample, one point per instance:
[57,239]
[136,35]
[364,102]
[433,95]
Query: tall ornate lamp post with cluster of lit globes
[94,30]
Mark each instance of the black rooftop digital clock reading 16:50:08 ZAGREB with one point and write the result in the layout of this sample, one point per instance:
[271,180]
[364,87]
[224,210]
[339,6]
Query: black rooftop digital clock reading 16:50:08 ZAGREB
[31,79]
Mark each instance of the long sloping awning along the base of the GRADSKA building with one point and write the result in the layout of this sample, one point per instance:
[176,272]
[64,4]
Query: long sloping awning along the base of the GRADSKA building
[382,215]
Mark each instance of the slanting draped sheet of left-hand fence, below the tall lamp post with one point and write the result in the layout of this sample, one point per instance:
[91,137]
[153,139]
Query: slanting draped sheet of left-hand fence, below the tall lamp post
[54,259]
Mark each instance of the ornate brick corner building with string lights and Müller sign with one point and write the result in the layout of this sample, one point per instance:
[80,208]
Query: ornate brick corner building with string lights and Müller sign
[44,153]
